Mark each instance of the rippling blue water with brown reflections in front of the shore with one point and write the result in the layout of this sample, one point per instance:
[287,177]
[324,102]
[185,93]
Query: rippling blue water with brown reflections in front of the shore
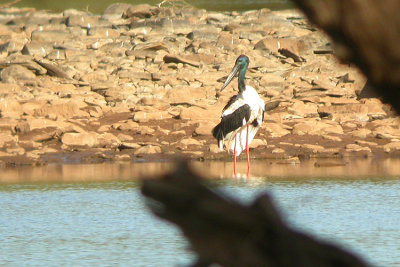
[49,217]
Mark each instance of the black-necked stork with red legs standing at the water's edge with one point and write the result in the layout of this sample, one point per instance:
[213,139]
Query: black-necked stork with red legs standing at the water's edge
[241,117]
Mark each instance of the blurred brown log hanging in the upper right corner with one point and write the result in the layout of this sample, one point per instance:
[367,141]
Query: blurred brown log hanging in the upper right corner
[367,33]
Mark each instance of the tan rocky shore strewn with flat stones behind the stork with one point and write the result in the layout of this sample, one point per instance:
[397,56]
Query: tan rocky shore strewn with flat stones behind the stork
[143,83]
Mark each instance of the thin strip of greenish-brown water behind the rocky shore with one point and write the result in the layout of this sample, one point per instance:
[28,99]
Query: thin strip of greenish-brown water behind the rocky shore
[97,6]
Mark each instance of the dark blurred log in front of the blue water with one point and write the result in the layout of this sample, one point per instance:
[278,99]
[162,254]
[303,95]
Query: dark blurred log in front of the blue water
[226,232]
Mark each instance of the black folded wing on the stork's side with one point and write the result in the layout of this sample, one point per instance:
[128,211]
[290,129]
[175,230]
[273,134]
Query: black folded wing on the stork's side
[231,122]
